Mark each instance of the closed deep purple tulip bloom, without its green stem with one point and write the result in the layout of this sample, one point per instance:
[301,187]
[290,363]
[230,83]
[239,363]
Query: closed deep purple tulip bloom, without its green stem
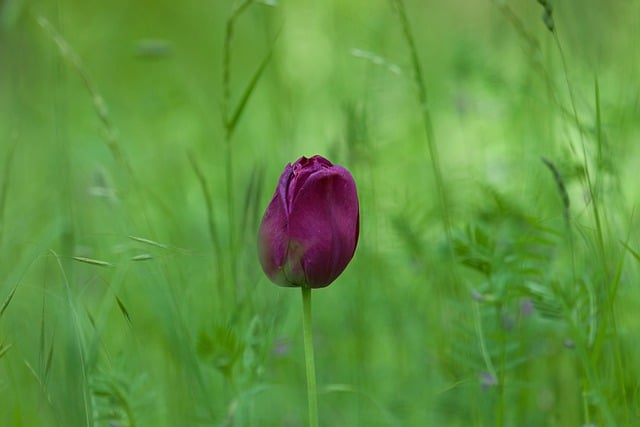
[310,229]
